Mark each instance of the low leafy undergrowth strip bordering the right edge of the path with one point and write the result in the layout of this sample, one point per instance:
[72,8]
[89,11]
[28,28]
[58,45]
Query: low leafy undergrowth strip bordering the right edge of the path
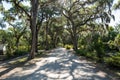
[110,64]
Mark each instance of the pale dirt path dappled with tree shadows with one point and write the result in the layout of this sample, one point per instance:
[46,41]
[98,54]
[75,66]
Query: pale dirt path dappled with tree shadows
[59,65]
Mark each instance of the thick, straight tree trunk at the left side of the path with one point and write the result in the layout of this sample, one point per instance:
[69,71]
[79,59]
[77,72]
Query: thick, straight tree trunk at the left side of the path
[34,8]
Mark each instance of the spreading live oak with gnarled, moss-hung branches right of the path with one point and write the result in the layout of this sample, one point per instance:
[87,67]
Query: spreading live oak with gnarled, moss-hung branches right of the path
[79,13]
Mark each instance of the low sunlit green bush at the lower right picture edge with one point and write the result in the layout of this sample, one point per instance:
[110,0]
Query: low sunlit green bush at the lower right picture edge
[113,61]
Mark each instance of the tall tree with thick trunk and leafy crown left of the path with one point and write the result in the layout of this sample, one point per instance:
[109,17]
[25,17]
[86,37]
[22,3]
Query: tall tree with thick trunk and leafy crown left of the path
[31,14]
